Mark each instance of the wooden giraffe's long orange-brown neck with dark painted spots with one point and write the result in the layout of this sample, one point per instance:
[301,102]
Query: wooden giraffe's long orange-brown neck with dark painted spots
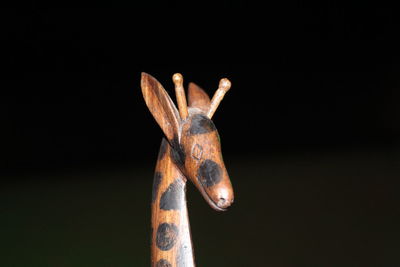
[171,239]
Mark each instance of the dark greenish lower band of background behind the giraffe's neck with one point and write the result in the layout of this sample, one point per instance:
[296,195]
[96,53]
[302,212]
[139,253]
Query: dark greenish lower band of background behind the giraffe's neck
[305,210]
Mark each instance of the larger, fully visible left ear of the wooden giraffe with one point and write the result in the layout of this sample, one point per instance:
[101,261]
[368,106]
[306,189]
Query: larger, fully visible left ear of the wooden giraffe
[160,105]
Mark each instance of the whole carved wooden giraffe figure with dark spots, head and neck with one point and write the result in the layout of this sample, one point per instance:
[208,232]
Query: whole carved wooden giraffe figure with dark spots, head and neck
[190,150]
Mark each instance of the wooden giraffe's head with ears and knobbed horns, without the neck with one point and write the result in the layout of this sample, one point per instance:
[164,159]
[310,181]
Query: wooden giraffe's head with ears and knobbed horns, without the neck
[194,139]
